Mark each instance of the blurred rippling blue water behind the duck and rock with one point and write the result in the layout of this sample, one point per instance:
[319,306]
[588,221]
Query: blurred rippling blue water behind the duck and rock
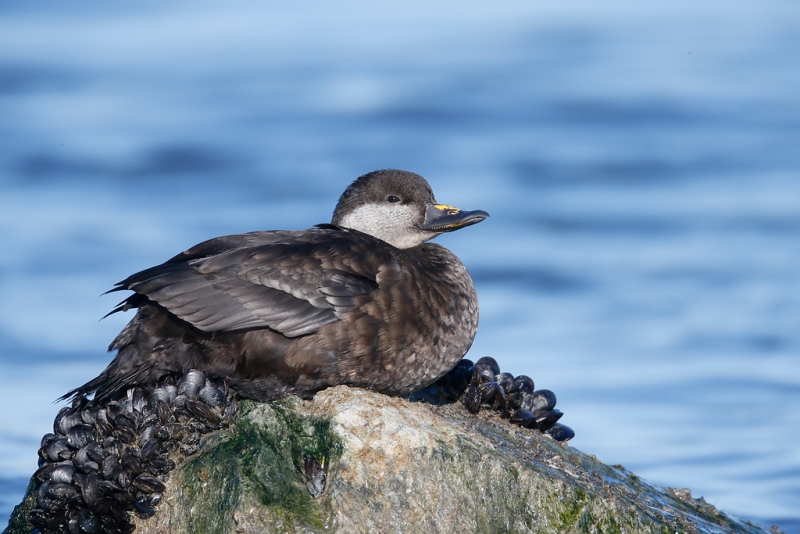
[640,163]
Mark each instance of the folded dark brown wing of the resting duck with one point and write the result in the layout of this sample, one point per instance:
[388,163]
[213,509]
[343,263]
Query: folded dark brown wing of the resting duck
[291,282]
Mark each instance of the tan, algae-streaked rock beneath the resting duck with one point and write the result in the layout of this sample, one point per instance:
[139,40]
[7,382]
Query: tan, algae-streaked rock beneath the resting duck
[383,464]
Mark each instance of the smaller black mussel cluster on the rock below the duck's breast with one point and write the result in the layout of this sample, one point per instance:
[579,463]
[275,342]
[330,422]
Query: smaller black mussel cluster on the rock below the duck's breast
[481,385]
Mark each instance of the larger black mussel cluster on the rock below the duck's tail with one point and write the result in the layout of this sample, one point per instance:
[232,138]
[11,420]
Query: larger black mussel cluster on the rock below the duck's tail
[105,461]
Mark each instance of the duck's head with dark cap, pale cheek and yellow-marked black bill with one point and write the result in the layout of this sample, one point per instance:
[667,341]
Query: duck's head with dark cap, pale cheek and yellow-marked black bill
[399,208]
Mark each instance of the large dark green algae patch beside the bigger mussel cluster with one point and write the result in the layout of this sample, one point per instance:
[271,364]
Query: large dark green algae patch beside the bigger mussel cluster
[262,461]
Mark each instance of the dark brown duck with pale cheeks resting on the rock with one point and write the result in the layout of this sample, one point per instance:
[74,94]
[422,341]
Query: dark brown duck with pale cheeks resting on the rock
[364,301]
